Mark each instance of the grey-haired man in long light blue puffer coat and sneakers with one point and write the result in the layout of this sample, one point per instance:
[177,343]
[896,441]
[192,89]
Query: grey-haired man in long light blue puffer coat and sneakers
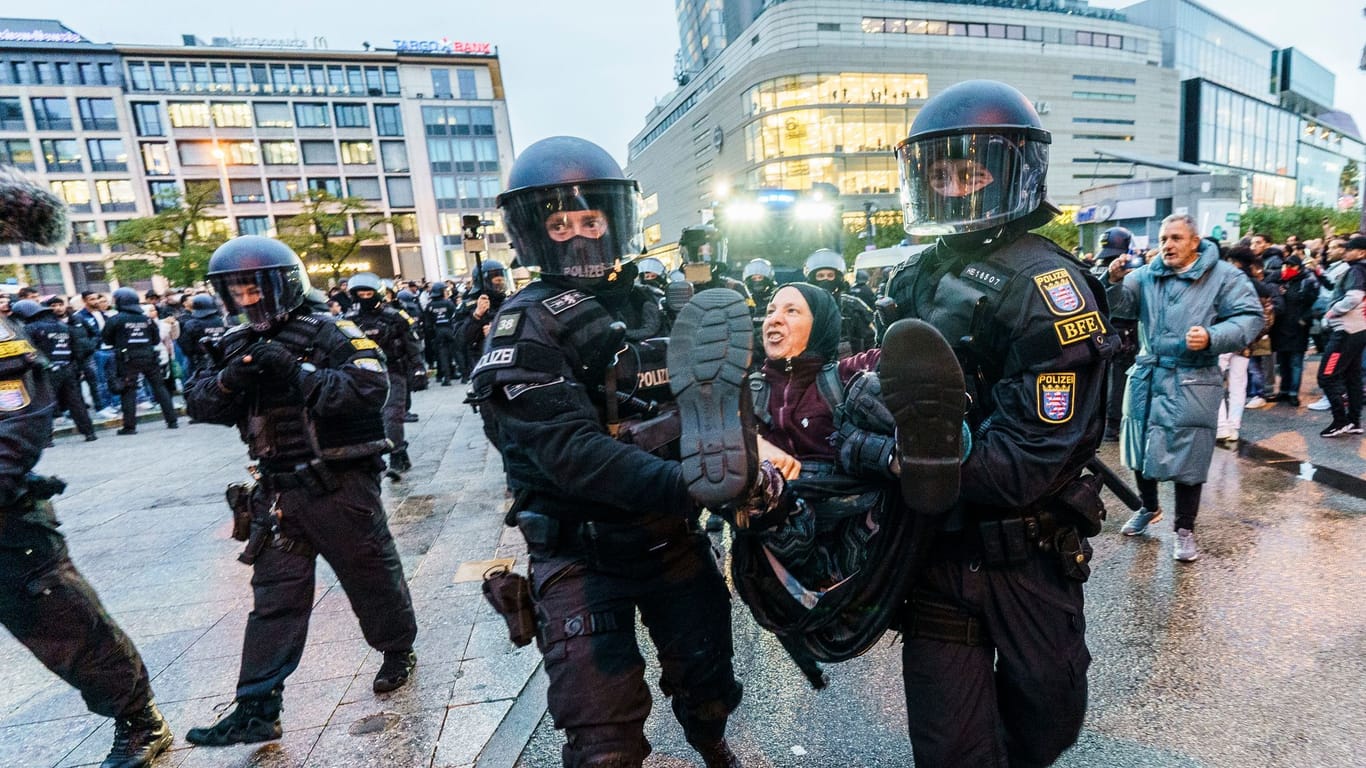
[1190,308]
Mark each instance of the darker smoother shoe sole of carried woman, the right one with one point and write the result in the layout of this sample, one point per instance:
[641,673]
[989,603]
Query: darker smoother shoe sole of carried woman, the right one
[923,386]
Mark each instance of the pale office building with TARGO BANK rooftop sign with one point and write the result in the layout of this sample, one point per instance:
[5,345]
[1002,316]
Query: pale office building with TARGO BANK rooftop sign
[420,133]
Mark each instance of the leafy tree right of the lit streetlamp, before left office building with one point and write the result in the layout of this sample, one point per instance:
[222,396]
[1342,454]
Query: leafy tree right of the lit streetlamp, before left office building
[323,233]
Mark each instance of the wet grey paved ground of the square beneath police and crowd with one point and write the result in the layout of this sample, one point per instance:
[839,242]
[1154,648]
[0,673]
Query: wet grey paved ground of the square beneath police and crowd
[1253,657]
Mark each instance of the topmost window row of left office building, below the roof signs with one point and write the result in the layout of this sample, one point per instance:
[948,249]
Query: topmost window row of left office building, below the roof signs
[262,77]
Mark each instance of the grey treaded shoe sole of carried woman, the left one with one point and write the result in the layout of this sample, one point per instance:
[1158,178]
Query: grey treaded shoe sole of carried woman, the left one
[710,357]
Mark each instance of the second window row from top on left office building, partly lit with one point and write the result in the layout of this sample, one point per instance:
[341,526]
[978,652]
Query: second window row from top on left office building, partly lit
[389,120]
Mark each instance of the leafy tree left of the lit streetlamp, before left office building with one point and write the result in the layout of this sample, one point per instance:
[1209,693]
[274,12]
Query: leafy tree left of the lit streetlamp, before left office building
[177,243]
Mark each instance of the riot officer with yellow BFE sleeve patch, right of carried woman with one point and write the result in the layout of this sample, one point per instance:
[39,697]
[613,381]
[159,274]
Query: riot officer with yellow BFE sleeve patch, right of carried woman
[995,655]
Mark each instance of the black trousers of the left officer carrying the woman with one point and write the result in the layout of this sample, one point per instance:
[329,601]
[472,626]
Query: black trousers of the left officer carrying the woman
[587,594]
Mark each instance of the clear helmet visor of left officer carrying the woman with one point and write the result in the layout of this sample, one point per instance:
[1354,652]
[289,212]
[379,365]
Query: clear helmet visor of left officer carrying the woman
[581,230]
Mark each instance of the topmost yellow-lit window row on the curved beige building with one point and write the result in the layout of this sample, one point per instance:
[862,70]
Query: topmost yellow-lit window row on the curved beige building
[835,88]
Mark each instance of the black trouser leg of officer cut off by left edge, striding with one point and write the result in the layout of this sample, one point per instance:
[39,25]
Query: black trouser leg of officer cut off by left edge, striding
[51,609]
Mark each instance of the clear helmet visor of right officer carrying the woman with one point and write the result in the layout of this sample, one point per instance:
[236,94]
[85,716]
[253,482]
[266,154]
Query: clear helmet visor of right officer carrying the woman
[969,182]
